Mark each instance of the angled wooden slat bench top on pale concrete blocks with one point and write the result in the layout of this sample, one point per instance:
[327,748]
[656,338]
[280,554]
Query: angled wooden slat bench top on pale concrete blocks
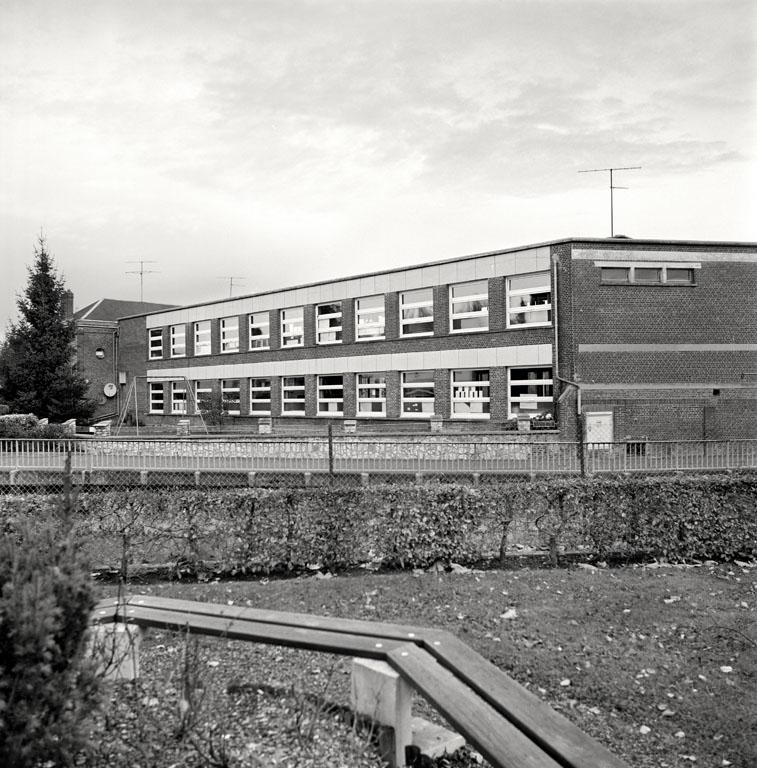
[506,723]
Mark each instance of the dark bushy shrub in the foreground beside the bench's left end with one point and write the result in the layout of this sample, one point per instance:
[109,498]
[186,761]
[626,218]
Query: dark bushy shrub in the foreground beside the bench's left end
[47,686]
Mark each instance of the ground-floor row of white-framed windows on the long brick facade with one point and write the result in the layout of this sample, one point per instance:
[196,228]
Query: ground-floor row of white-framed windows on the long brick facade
[529,391]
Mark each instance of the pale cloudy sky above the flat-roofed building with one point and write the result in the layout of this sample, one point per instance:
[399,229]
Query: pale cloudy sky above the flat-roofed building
[289,141]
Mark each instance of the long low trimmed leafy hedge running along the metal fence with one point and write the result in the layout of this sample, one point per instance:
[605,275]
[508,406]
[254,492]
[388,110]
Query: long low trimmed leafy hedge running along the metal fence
[260,530]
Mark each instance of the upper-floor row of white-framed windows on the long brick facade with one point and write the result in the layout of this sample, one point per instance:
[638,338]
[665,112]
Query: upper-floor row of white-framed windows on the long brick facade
[529,303]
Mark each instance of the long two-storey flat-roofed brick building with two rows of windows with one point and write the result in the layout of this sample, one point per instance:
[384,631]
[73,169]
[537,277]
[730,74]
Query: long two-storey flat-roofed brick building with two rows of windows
[646,339]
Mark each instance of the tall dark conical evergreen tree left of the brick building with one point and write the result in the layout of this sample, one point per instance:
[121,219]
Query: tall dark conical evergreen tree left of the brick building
[37,370]
